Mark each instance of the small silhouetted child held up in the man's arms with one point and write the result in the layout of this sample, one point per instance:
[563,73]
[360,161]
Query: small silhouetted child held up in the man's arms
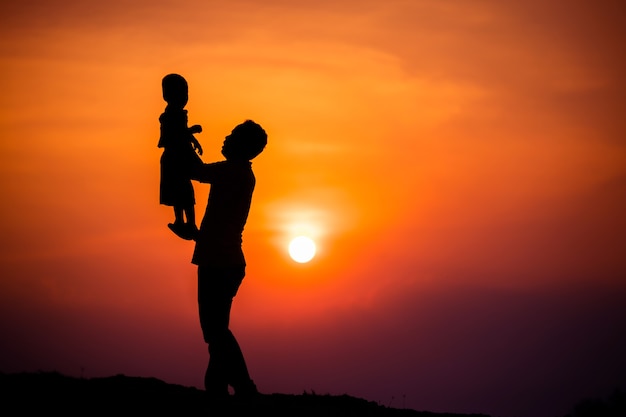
[179,157]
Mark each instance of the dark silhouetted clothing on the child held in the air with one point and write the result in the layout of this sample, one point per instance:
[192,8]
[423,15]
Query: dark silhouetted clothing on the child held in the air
[177,160]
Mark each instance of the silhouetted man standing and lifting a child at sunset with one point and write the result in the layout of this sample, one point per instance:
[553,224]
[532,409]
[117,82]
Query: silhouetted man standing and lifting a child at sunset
[219,256]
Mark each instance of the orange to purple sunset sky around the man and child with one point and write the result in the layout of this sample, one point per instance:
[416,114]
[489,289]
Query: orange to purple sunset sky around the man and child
[461,166]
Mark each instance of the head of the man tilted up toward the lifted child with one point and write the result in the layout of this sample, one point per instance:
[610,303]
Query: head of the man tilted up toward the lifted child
[245,142]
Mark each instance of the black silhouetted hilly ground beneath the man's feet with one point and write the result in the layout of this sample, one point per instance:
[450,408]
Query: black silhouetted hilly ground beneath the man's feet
[48,393]
